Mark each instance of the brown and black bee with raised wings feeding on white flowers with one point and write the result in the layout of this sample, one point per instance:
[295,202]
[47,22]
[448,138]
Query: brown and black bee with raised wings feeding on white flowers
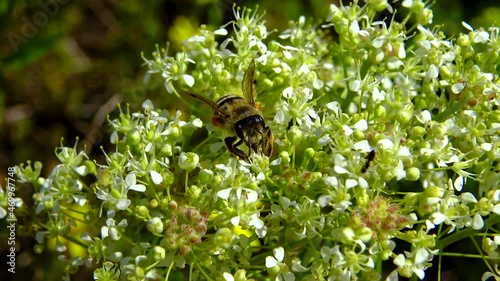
[242,118]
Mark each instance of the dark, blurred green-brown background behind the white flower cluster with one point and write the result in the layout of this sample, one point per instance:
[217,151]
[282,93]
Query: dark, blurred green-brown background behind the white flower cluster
[65,64]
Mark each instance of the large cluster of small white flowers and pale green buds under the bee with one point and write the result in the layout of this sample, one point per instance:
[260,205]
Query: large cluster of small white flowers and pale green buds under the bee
[386,150]
